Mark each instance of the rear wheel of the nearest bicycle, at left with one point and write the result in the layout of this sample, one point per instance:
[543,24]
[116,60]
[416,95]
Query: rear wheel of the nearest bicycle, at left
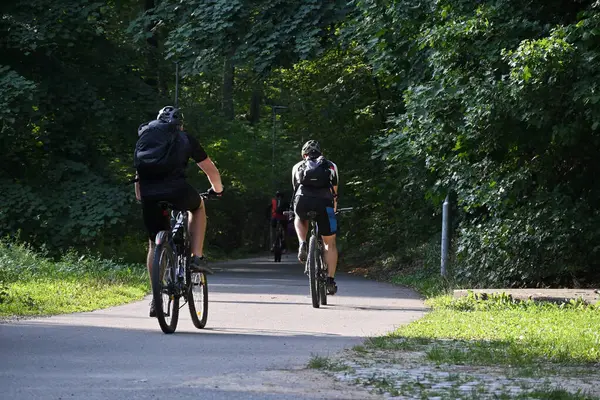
[166,300]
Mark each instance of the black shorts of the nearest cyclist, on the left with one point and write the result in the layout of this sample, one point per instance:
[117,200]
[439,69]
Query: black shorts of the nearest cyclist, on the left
[155,218]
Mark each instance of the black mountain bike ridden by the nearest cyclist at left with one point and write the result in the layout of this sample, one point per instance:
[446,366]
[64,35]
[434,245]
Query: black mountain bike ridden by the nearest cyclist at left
[171,277]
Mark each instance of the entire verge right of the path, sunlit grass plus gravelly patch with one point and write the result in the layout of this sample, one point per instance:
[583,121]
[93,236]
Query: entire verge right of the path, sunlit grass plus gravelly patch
[474,348]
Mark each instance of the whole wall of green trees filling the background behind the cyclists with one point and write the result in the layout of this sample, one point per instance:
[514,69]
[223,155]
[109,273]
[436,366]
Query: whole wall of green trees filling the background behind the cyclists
[494,103]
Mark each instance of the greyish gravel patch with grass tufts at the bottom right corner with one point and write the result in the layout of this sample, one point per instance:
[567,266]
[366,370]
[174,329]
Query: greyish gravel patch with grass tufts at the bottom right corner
[398,374]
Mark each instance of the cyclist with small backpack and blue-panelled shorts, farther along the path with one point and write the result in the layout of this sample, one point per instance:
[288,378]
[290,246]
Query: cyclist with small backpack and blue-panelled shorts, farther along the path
[315,182]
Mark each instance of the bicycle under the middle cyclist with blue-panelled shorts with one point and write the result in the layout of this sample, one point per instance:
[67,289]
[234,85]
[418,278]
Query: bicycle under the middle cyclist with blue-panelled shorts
[315,264]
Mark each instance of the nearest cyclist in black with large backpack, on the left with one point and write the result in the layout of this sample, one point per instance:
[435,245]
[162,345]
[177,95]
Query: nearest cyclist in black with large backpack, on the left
[161,155]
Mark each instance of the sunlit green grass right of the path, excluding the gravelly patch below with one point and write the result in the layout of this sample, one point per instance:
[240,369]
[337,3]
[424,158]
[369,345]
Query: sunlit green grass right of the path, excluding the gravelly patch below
[501,331]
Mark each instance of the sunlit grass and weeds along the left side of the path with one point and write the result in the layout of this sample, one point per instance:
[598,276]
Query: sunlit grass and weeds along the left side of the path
[31,284]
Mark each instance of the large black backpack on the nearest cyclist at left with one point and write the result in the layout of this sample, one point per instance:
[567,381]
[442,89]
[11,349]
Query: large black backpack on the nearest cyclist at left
[156,152]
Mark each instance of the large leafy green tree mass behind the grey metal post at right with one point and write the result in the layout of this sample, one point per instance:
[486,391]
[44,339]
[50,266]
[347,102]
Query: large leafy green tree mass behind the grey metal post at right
[498,114]
